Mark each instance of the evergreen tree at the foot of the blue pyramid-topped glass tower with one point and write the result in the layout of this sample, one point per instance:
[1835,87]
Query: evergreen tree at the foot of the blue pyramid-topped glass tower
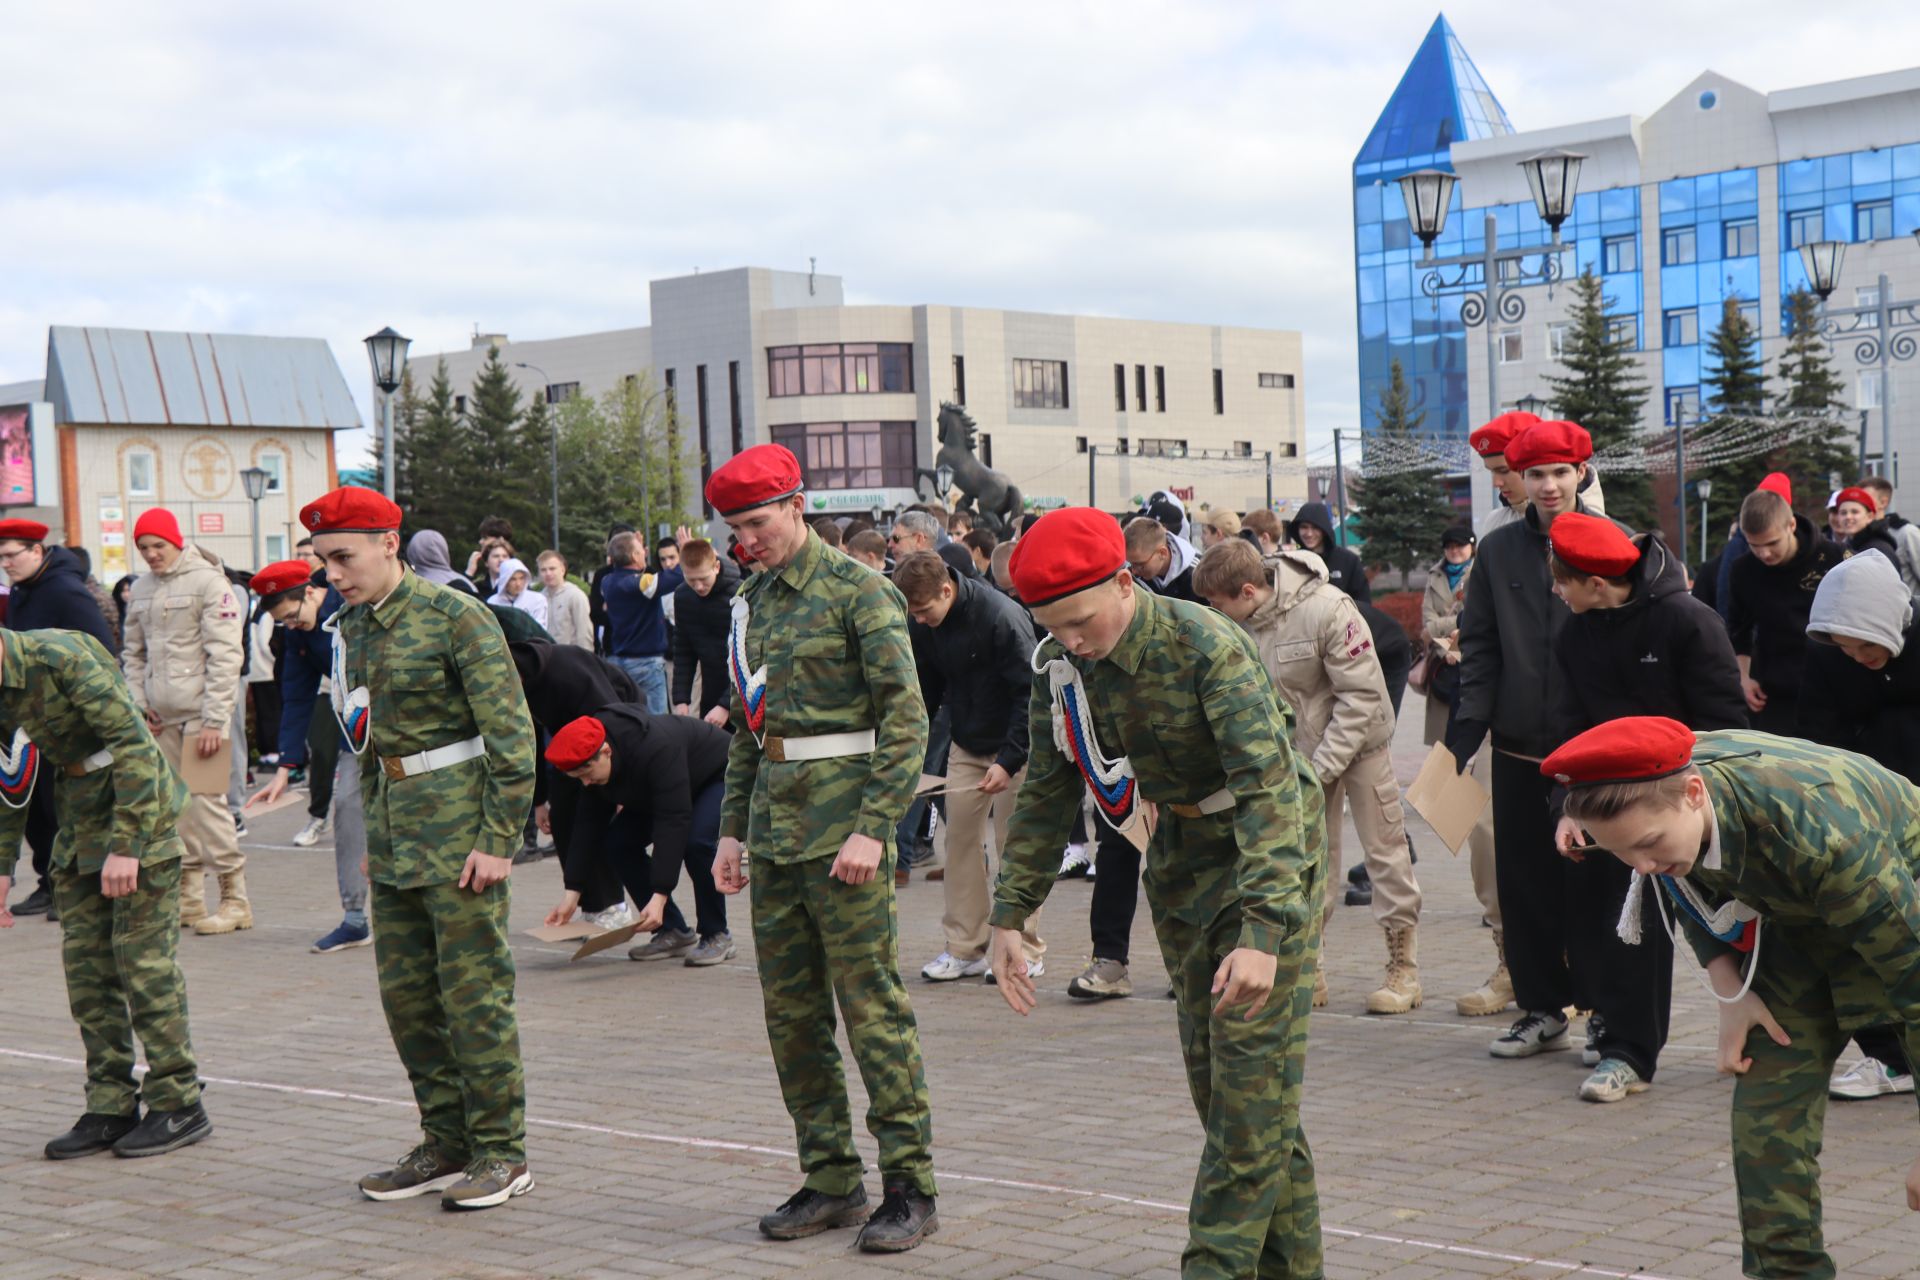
[1403,502]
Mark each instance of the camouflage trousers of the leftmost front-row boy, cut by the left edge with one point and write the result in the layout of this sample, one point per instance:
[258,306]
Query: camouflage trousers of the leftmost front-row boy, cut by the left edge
[124,982]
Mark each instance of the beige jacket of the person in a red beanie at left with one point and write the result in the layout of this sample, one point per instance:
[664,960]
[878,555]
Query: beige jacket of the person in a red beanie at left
[185,636]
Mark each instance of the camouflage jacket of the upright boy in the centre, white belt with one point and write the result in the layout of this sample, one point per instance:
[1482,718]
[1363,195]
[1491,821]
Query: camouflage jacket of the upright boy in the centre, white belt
[838,659]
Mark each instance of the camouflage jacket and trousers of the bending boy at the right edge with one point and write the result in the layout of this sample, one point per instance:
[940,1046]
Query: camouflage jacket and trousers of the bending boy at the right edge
[1825,845]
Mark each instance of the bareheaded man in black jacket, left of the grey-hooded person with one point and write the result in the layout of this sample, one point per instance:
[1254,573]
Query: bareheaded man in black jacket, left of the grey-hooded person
[1769,600]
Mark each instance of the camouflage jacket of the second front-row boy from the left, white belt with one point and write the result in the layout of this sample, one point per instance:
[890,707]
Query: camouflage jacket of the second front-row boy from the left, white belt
[439,673]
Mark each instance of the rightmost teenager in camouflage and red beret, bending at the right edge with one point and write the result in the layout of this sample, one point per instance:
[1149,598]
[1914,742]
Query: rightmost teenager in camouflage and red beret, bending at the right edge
[1792,863]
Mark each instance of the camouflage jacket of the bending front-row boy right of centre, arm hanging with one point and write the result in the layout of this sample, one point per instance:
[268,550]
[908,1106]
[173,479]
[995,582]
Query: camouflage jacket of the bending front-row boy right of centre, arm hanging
[1186,699]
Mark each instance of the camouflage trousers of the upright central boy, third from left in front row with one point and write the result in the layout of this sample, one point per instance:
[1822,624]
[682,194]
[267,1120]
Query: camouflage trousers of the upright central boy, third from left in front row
[819,939]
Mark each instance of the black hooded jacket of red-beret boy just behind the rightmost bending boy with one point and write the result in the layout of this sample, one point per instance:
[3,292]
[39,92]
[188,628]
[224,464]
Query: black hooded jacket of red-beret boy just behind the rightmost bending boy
[1662,653]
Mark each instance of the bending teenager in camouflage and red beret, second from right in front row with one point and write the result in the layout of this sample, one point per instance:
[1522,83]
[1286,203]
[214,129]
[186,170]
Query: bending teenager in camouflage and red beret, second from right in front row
[1234,870]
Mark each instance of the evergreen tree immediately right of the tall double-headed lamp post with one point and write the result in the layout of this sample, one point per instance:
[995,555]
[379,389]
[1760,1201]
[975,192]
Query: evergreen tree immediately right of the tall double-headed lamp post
[1604,394]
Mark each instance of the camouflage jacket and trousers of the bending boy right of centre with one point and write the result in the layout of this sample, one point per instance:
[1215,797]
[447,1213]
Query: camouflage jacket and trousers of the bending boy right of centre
[1188,701]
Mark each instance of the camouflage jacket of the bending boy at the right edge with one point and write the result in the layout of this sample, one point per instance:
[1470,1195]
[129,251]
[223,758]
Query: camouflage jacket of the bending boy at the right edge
[1825,845]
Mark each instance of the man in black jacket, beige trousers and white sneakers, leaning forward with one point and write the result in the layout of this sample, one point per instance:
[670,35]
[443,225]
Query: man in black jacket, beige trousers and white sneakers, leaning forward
[976,661]
